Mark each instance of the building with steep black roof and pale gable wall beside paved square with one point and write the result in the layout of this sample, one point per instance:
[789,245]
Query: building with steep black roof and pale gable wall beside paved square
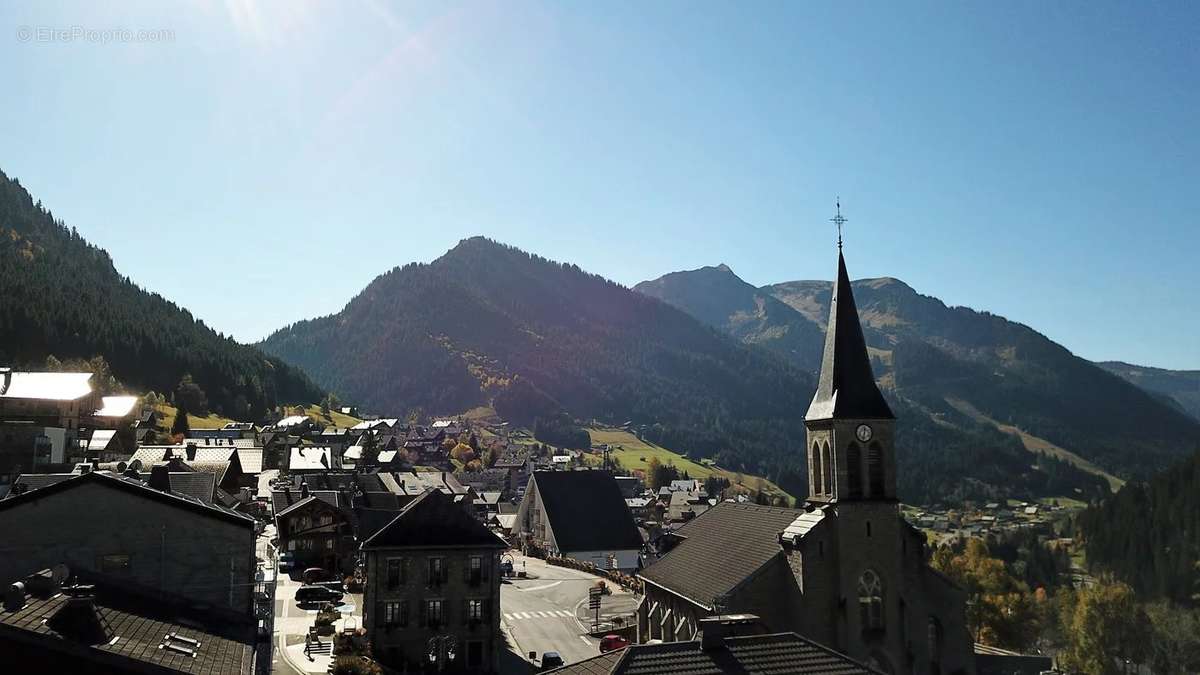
[579,515]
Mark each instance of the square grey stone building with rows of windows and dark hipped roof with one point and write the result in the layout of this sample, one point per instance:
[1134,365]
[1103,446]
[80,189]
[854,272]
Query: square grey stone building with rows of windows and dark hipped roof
[434,590]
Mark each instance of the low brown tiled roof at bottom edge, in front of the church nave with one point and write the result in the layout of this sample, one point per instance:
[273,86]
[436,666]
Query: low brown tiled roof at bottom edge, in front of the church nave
[776,654]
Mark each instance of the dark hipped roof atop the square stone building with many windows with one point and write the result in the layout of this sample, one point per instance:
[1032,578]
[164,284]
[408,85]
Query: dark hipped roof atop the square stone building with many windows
[434,521]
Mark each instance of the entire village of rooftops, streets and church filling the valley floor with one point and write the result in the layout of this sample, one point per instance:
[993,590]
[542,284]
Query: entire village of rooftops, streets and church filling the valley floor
[325,534]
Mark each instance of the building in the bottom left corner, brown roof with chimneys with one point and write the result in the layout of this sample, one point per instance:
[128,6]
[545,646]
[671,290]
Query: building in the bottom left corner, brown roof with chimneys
[111,629]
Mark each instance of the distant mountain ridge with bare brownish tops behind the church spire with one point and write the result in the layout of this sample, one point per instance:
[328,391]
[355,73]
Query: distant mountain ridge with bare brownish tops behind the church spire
[956,373]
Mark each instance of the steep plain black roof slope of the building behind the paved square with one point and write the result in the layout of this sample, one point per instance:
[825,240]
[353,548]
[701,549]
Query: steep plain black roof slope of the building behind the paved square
[587,511]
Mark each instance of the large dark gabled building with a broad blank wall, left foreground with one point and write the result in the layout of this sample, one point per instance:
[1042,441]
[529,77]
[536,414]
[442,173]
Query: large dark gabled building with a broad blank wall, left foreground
[118,529]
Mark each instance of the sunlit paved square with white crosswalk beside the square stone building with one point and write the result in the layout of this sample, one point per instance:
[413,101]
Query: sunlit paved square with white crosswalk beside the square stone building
[544,613]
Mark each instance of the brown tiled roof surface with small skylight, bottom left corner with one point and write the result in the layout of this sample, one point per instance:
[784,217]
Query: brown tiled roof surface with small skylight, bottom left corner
[140,634]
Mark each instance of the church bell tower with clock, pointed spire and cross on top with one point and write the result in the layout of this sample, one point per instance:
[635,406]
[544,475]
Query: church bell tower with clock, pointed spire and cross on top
[851,429]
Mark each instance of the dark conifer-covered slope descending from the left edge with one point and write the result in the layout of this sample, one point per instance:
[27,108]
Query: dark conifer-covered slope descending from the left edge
[62,296]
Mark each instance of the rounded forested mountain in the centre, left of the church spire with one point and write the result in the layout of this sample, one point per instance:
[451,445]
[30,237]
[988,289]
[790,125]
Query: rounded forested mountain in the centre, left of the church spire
[490,324]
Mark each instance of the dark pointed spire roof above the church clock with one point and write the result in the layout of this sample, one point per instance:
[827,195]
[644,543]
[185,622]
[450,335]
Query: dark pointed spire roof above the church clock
[847,389]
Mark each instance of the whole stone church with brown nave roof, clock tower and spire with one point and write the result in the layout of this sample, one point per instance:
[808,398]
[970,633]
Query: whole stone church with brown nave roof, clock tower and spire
[847,570]
